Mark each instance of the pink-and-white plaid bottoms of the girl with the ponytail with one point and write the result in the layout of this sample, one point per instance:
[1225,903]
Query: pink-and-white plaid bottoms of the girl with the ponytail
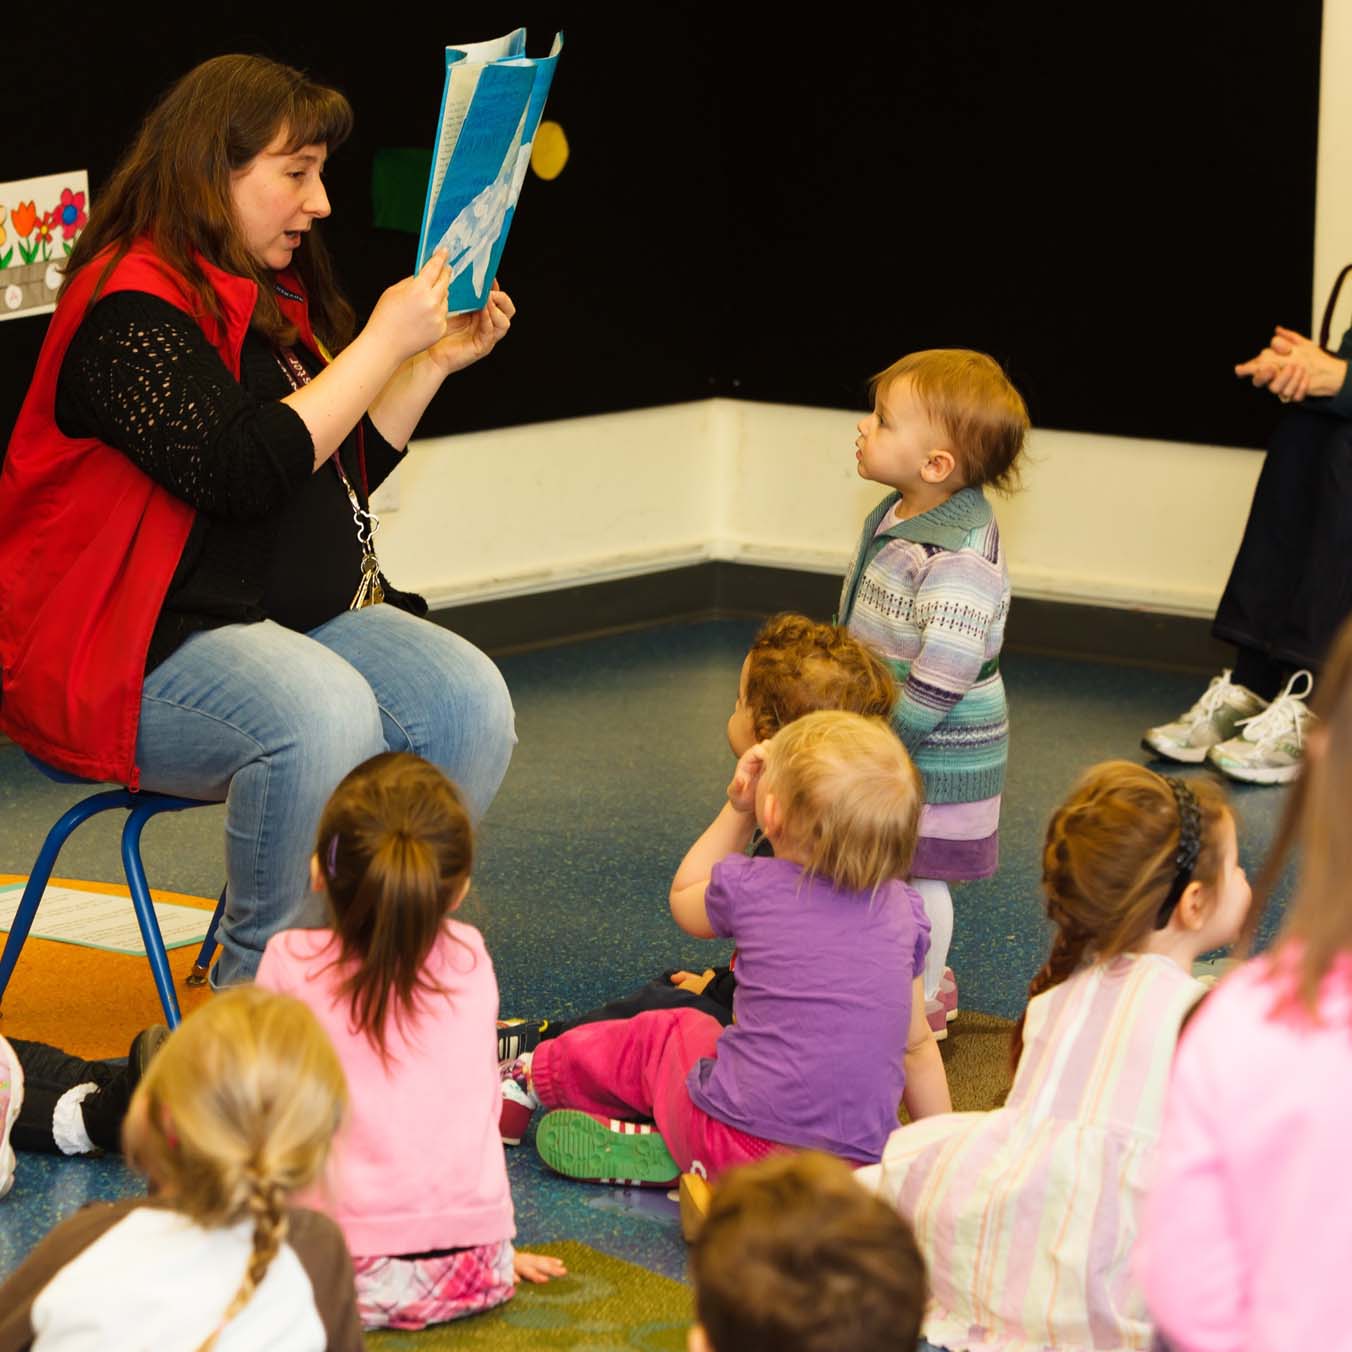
[413,1293]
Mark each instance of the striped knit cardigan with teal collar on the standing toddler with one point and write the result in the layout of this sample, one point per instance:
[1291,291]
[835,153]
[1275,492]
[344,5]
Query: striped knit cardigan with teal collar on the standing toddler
[931,596]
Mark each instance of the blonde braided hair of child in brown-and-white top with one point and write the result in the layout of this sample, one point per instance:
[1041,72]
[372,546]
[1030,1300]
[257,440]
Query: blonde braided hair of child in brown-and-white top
[235,1113]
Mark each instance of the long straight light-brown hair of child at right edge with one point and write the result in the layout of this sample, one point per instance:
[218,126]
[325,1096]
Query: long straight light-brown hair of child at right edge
[1318,929]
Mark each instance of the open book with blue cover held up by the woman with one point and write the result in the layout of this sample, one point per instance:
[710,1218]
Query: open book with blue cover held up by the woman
[490,107]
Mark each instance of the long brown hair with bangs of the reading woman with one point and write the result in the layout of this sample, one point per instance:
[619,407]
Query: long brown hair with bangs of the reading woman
[174,186]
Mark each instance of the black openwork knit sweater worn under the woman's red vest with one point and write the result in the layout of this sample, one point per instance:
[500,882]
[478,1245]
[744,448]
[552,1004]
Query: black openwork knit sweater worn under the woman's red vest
[274,539]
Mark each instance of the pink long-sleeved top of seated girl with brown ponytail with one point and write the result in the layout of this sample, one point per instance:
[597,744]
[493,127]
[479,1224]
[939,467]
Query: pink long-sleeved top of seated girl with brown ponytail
[418,1163]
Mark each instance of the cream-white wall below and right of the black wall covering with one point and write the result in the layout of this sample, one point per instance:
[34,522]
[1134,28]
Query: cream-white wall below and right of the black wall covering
[1108,520]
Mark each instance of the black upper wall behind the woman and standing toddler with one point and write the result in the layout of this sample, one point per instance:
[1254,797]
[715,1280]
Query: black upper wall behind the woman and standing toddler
[1107,202]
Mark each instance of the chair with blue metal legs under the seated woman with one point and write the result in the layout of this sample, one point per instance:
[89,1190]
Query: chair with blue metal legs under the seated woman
[140,808]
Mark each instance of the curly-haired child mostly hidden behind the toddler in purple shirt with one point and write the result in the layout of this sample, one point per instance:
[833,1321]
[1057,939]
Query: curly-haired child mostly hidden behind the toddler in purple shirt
[794,667]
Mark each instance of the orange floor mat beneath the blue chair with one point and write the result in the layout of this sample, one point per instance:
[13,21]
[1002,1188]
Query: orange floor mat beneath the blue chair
[84,1000]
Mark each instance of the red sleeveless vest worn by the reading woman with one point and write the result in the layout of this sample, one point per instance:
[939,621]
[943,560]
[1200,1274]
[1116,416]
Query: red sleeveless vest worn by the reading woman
[89,544]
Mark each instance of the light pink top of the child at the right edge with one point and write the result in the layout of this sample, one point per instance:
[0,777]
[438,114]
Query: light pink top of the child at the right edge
[1249,1227]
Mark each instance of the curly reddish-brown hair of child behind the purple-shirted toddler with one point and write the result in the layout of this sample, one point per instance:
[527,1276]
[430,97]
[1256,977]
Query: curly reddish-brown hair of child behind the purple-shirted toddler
[798,666]
